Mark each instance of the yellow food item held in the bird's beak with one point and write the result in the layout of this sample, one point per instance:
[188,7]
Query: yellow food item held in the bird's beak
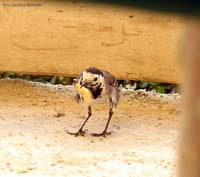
[86,94]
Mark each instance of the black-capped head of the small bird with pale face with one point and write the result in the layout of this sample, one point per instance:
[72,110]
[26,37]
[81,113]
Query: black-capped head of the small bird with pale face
[91,78]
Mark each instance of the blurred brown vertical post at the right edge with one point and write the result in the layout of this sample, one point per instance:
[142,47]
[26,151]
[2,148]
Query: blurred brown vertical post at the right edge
[190,142]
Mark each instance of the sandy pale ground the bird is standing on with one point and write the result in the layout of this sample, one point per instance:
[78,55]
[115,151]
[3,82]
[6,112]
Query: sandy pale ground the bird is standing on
[33,142]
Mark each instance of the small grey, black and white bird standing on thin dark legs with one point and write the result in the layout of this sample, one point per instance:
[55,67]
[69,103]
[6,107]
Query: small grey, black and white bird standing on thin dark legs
[101,85]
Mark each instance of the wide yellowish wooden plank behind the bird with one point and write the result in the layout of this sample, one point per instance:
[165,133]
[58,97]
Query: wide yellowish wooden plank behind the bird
[63,38]
